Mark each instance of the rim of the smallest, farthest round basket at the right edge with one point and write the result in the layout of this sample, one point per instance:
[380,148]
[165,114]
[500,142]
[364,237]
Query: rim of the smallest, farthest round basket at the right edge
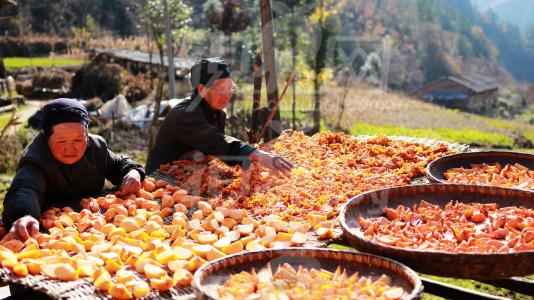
[458,156]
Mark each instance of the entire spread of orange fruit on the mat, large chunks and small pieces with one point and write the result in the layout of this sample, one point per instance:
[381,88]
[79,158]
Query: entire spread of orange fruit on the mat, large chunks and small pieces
[131,245]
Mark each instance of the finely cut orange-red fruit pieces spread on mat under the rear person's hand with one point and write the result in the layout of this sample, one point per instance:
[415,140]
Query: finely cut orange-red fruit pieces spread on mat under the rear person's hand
[330,168]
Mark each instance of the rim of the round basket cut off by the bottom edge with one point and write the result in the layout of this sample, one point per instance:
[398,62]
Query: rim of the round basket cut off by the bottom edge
[417,288]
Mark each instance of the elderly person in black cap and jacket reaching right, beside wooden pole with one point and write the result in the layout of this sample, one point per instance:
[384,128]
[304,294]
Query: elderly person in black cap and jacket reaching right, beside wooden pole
[195,126]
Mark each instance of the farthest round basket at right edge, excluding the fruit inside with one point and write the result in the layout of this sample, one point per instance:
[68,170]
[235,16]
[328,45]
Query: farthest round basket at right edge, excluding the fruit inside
[436,169]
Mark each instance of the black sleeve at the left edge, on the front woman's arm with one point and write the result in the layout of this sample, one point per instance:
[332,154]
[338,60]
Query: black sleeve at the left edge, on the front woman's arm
[25,195]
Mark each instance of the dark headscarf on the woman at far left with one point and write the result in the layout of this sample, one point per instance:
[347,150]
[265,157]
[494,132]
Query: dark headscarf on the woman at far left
[63,110]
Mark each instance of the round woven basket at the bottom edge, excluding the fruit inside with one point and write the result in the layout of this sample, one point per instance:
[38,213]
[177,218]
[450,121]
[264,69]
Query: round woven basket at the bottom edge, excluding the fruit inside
[212,275]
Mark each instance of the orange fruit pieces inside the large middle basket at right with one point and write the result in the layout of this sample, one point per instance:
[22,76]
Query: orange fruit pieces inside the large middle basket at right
[459,227]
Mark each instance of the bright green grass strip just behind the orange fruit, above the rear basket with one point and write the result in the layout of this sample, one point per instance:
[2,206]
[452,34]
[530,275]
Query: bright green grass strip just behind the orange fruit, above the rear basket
[464,136]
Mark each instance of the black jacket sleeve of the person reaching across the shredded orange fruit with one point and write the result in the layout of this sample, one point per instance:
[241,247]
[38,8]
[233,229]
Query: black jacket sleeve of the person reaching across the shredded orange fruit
[205,137]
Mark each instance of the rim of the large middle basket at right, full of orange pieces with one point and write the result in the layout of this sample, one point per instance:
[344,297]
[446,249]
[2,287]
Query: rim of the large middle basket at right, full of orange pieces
[356,233]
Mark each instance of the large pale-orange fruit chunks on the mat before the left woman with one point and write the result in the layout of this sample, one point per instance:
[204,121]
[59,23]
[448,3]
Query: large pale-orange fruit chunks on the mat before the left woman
[133,245]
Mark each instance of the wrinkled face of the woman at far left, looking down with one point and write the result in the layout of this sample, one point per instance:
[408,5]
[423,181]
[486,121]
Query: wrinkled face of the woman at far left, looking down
[68,142]
